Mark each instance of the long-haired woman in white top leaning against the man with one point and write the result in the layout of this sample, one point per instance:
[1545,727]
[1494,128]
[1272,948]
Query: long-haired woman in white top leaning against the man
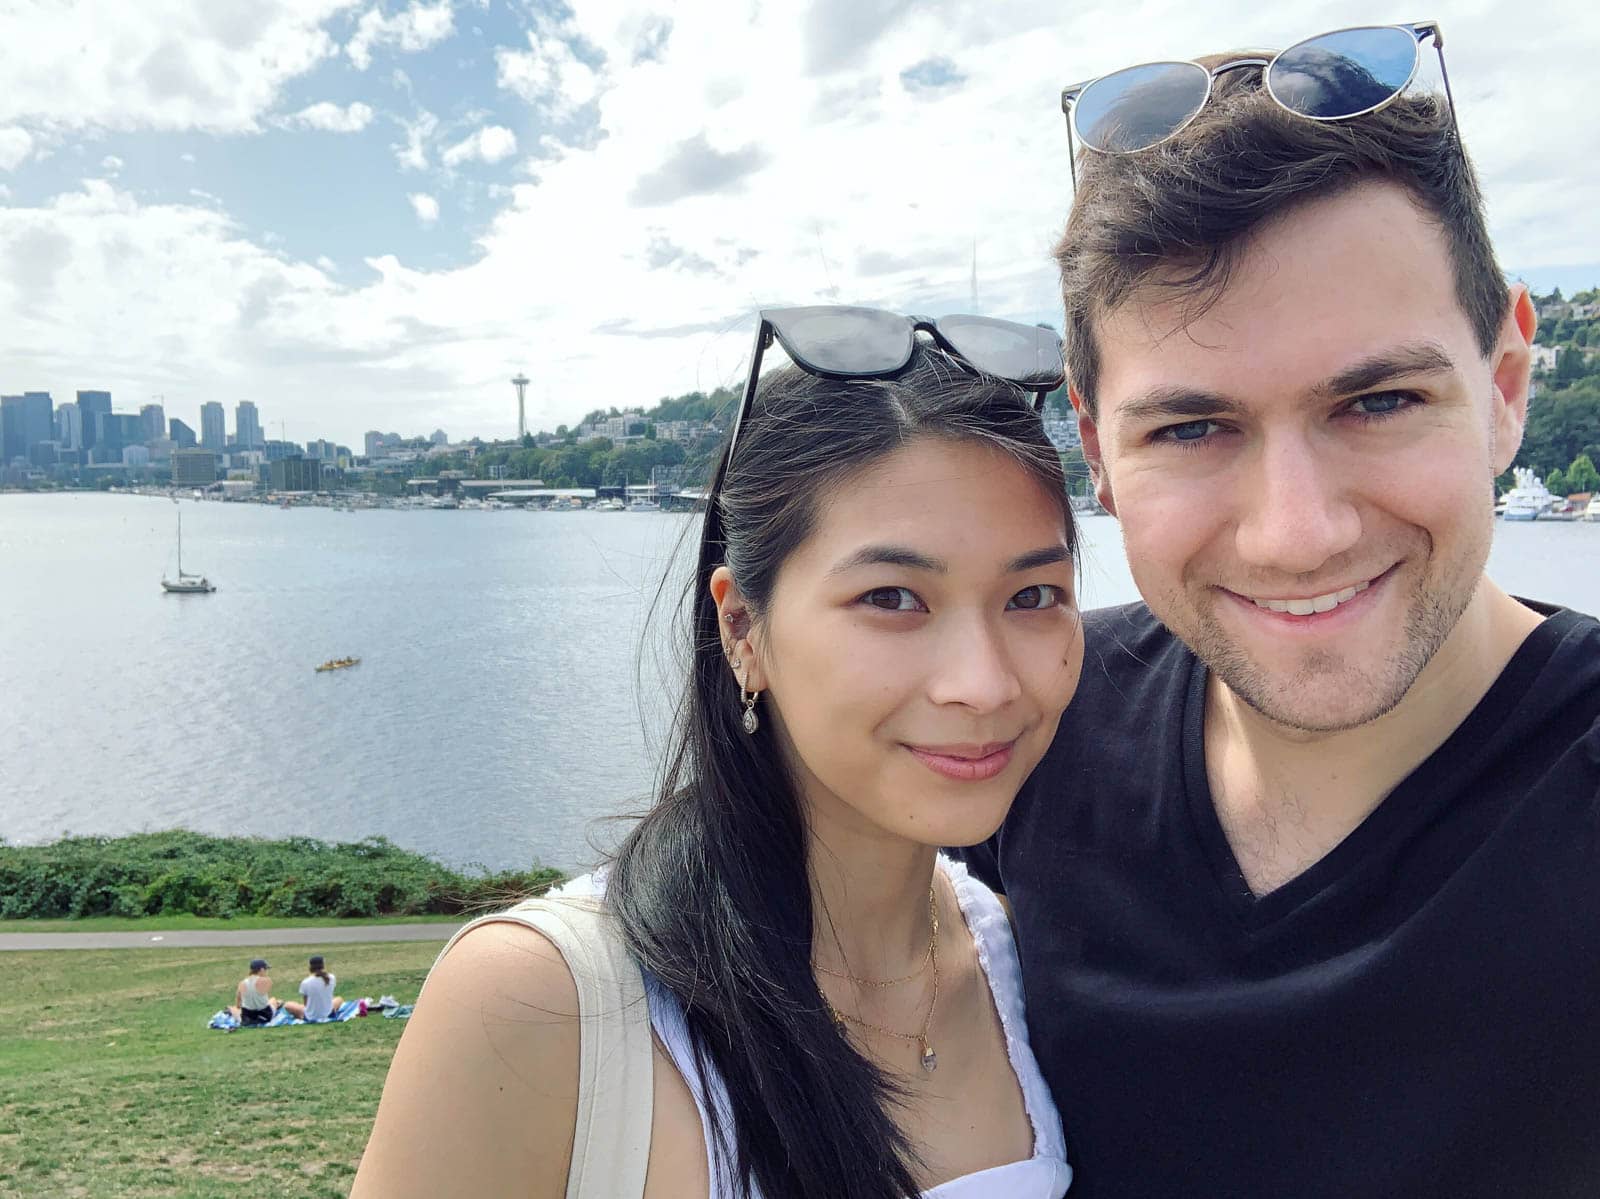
[882,643]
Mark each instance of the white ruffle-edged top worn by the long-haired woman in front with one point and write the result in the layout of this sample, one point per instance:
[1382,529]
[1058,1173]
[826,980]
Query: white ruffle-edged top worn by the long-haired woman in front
[1046,1176]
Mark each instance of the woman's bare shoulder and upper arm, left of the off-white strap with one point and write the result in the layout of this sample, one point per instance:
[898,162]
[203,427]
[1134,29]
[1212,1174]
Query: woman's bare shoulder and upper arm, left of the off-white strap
[482,1094]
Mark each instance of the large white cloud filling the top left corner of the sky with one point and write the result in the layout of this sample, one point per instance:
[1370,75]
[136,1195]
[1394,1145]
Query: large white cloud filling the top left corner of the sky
[162,65]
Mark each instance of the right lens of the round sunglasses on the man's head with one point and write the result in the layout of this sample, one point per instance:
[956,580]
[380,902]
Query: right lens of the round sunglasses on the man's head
[1343,74]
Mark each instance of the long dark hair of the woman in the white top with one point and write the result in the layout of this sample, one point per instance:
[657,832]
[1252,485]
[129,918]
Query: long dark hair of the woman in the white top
[713,888]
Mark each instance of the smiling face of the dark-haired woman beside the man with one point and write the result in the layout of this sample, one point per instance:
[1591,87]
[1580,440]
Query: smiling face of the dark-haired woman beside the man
[922,644]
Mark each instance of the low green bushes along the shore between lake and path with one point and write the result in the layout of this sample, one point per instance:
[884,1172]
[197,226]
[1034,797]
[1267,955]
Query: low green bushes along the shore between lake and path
[190,875]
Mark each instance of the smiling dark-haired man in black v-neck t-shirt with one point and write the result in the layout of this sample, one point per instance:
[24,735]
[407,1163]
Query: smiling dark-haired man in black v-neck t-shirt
[1308,889]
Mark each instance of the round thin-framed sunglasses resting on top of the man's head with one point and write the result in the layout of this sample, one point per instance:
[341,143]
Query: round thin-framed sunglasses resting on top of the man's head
[1337,76]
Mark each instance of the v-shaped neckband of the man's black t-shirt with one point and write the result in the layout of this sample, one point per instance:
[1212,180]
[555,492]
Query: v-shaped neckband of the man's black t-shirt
[1412,801]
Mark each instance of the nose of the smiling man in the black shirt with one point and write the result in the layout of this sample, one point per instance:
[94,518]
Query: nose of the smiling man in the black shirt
[1295,511]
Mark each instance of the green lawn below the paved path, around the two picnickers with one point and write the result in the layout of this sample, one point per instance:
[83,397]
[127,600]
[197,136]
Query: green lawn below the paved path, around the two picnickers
[111,1085]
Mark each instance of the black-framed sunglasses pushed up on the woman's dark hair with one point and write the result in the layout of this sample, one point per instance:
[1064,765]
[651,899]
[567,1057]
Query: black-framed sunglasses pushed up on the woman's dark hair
[838,342]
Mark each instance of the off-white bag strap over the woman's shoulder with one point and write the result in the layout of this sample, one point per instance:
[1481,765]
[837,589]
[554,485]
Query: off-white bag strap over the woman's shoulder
[615,1056]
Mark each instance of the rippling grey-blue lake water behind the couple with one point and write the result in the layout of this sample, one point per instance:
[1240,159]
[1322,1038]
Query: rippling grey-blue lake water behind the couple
[502,707]
